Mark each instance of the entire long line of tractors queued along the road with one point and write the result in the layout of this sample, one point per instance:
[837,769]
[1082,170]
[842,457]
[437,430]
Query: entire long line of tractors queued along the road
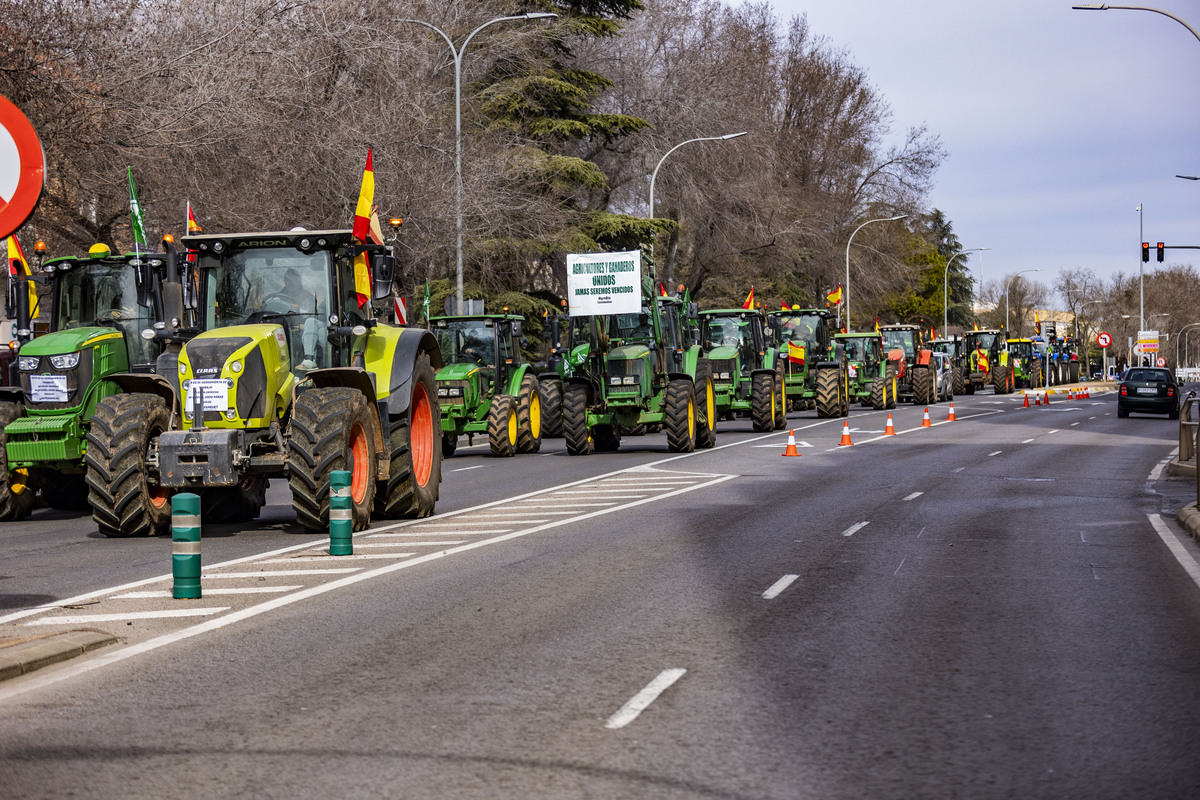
[229,360]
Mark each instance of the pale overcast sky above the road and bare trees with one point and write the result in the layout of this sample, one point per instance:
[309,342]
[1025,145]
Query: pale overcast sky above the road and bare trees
[1058,123]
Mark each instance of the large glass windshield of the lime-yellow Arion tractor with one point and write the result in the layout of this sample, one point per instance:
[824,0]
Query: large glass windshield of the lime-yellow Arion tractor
[272,285]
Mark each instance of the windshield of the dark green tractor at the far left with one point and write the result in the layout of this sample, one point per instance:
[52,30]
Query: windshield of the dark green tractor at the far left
[97,293]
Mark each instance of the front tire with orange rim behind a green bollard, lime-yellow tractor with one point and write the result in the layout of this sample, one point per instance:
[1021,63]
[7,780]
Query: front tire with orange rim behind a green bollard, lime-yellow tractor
[331,430]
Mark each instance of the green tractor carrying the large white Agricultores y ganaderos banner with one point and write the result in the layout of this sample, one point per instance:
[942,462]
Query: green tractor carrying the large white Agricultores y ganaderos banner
[638,370]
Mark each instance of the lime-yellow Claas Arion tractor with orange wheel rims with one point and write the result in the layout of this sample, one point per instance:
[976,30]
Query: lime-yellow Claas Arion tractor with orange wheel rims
[292,378]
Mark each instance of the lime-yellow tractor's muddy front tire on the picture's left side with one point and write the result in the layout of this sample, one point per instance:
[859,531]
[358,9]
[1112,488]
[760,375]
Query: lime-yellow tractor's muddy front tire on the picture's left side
[125,502]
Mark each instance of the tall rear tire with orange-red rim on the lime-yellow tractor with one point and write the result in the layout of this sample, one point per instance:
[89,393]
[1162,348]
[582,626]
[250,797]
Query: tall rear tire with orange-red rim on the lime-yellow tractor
[416,471]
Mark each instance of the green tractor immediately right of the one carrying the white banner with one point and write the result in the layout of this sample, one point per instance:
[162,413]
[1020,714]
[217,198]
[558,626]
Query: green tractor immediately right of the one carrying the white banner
[749,376]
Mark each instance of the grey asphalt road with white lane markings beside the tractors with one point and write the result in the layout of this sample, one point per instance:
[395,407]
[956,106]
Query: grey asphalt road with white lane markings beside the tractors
[987,609]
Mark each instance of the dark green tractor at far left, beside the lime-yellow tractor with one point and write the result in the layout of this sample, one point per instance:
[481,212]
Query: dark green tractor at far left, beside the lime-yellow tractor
[99,306]
